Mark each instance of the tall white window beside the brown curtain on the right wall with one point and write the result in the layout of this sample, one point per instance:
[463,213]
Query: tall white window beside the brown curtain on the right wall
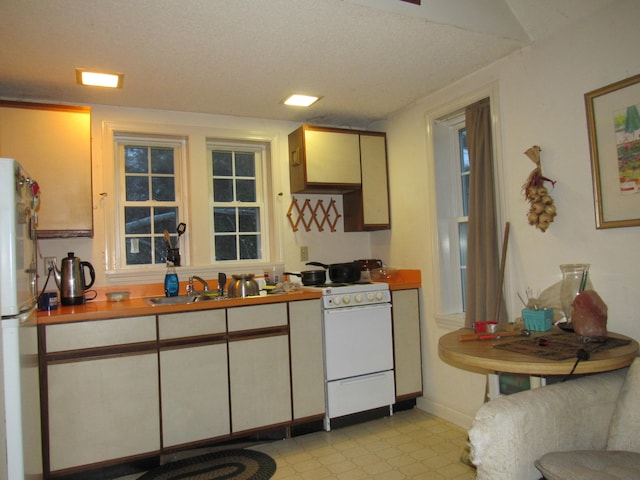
[452,197]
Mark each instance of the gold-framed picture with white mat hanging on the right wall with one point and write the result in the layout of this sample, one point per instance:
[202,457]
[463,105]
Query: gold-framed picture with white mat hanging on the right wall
[613,121]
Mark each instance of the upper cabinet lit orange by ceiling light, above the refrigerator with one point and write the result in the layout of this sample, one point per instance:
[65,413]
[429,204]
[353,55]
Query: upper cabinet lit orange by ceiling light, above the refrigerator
[53,143]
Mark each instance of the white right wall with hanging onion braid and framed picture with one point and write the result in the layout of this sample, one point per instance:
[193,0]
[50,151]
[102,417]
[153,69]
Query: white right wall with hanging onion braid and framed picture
[541,102]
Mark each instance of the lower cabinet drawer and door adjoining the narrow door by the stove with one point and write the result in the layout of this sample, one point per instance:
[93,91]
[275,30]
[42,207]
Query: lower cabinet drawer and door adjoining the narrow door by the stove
[259,379]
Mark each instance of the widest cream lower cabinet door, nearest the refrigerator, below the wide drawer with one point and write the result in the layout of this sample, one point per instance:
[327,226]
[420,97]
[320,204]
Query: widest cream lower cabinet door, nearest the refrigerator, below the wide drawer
[102,409]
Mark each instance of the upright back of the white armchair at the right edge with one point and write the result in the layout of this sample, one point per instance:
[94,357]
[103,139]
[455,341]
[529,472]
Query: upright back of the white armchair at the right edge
[625,424]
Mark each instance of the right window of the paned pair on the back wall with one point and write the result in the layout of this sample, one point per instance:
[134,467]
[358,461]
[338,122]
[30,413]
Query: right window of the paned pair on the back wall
[238,207]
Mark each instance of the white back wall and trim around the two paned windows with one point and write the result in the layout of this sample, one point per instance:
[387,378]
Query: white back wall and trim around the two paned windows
[325,246]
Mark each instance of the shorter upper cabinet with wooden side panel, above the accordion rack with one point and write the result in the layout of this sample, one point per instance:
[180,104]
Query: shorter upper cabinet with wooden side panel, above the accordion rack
[323,160]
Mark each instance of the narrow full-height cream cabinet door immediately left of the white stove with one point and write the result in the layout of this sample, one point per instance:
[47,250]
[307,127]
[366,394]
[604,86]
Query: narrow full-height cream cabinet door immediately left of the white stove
[307,369]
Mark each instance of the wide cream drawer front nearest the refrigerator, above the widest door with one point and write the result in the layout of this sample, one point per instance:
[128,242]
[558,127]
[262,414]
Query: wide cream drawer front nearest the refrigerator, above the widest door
[100,333]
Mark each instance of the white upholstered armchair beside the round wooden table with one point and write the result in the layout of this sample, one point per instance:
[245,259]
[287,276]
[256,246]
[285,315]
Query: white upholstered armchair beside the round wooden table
[598,412]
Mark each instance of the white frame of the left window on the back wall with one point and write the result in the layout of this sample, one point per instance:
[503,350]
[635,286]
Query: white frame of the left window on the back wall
[122,140]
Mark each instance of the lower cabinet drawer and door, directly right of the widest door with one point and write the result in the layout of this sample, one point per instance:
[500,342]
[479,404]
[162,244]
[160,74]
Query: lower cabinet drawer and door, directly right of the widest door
[193,377]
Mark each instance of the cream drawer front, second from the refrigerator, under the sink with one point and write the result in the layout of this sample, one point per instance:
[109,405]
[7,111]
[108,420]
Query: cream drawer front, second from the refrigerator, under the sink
[192,324]
